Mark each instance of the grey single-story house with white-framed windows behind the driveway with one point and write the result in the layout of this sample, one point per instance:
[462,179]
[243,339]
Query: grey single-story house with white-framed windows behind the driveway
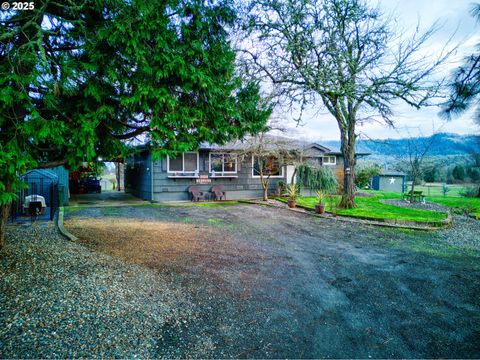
[229,166]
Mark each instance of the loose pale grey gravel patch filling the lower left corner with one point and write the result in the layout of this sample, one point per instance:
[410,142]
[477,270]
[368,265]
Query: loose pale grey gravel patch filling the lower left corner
[58,299]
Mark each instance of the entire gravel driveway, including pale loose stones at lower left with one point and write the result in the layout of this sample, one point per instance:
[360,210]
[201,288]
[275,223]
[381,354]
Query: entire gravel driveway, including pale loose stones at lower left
[242,281]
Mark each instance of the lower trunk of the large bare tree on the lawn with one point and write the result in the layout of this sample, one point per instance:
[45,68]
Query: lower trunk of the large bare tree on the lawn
[348,151]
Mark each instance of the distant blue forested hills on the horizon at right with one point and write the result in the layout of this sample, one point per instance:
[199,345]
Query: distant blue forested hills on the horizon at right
[446,144]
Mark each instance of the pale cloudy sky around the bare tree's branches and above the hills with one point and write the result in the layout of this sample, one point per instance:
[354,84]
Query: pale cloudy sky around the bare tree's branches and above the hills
[455,17]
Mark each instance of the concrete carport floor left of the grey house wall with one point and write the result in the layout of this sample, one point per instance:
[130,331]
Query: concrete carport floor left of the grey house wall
[106,198]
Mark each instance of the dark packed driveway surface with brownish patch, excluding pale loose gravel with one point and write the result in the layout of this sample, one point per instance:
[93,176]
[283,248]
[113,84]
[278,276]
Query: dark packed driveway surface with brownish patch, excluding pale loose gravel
[270,283]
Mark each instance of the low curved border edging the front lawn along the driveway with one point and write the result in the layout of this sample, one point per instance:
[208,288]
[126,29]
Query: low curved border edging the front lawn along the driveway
[392,223]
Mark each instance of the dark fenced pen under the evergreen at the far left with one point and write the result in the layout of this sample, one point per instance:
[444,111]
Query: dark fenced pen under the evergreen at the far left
[41,191]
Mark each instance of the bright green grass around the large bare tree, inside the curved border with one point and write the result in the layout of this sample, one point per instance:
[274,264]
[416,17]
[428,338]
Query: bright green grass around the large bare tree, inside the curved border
[373,208]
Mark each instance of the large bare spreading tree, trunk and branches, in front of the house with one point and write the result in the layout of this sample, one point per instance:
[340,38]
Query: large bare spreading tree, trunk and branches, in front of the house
[342,55]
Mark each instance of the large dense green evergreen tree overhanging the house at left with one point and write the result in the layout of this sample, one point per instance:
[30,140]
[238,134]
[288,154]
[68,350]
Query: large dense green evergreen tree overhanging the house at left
[79,79]
